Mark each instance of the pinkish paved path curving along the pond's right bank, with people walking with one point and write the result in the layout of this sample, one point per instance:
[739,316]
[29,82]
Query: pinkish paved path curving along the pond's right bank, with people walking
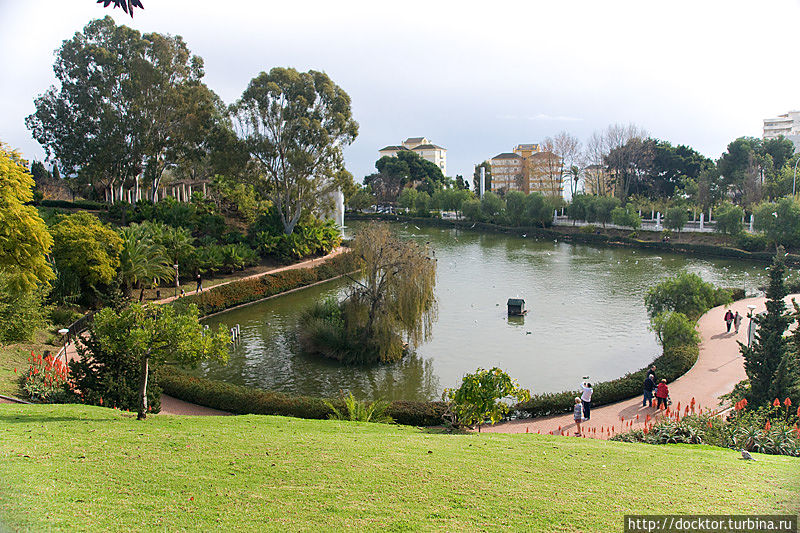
[719,367]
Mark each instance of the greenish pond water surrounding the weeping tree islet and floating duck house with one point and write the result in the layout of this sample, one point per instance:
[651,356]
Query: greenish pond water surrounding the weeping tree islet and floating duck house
[586,317]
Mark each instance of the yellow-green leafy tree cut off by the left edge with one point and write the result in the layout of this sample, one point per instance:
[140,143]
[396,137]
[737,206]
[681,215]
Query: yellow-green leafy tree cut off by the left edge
[24,239]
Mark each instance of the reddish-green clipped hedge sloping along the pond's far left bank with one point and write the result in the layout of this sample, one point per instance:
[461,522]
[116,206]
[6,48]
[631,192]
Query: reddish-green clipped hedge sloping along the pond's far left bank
[222,297]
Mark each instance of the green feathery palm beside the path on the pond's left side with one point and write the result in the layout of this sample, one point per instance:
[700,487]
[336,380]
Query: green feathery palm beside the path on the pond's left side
[142,260]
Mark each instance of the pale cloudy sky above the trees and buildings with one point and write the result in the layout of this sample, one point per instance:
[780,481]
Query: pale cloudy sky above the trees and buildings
[474,77]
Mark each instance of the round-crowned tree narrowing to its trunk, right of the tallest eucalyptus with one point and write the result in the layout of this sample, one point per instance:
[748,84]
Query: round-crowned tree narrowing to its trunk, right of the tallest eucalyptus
[295,125]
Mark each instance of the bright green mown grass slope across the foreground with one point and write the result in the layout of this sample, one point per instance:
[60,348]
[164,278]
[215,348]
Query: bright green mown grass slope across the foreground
[76,468]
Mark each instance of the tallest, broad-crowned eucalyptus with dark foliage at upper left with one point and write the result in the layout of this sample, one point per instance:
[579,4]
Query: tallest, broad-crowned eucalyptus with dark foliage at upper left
[127,104]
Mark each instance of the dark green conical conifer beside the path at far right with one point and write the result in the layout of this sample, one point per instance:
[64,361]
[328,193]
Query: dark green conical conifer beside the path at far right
[769,348]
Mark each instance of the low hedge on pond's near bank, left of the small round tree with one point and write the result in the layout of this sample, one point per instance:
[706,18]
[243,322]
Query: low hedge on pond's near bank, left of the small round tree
[246,400]
